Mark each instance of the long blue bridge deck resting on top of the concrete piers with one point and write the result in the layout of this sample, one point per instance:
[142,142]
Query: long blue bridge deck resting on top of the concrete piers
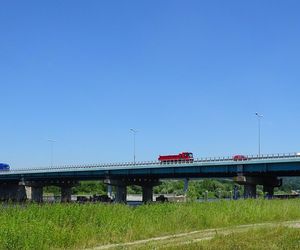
[279,165]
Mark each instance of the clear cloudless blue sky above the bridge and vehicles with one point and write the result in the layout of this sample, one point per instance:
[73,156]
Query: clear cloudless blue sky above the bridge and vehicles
[188,75]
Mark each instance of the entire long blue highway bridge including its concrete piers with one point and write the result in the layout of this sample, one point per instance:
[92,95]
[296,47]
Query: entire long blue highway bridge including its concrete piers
[265,170]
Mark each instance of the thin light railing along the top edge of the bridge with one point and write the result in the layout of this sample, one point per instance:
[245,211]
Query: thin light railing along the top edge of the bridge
[145,163]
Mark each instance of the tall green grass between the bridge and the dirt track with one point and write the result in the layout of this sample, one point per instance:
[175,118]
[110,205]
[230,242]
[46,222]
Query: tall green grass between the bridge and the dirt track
[79,226]
